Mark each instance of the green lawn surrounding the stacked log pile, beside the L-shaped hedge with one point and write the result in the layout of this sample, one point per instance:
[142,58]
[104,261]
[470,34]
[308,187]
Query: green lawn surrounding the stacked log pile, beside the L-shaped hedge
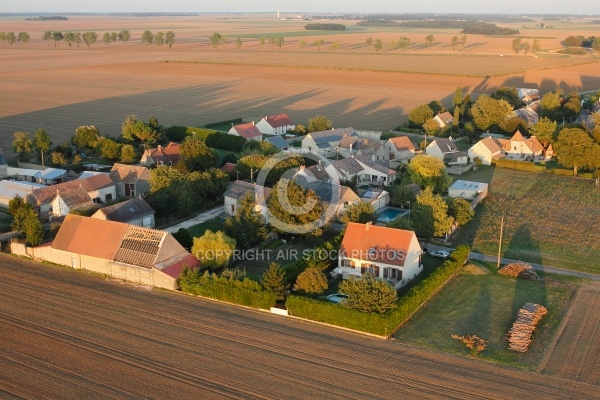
[478,301]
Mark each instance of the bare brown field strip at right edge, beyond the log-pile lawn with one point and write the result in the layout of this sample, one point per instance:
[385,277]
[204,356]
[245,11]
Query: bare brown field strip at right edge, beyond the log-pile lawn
[576,355]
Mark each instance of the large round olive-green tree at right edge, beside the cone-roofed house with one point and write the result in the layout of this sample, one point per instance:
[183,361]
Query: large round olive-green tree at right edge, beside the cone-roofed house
[575,149]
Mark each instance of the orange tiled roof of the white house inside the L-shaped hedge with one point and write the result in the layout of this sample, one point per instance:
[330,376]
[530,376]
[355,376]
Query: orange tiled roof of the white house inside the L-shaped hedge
[378,244]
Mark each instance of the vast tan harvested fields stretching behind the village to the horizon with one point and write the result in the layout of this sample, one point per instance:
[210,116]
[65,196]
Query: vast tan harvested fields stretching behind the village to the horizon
[193,83]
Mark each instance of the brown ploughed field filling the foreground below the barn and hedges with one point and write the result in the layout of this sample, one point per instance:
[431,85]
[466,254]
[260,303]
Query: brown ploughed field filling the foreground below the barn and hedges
[71,335]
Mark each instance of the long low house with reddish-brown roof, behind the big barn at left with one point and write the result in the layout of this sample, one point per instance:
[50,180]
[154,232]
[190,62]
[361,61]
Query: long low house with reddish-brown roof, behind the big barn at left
[100,188]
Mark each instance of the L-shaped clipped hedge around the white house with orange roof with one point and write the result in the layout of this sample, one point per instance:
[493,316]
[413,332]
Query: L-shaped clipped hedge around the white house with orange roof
[378,324]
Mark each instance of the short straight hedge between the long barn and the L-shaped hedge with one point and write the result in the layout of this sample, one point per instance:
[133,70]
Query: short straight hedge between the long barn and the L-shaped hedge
[245,292]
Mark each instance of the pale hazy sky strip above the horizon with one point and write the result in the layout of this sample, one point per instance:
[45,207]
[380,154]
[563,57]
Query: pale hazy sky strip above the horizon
[312,6]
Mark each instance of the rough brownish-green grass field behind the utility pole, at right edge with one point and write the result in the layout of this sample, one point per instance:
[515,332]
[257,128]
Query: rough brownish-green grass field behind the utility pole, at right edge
[549,219]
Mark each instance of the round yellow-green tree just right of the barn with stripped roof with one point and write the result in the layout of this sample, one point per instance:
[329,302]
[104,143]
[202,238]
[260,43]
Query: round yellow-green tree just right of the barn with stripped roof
[213,249]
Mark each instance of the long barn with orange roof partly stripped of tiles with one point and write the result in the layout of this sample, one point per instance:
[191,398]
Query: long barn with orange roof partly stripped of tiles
[132,253]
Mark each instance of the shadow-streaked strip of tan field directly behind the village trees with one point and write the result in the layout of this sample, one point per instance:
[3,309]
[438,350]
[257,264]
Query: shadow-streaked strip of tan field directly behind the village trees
[200,104]
